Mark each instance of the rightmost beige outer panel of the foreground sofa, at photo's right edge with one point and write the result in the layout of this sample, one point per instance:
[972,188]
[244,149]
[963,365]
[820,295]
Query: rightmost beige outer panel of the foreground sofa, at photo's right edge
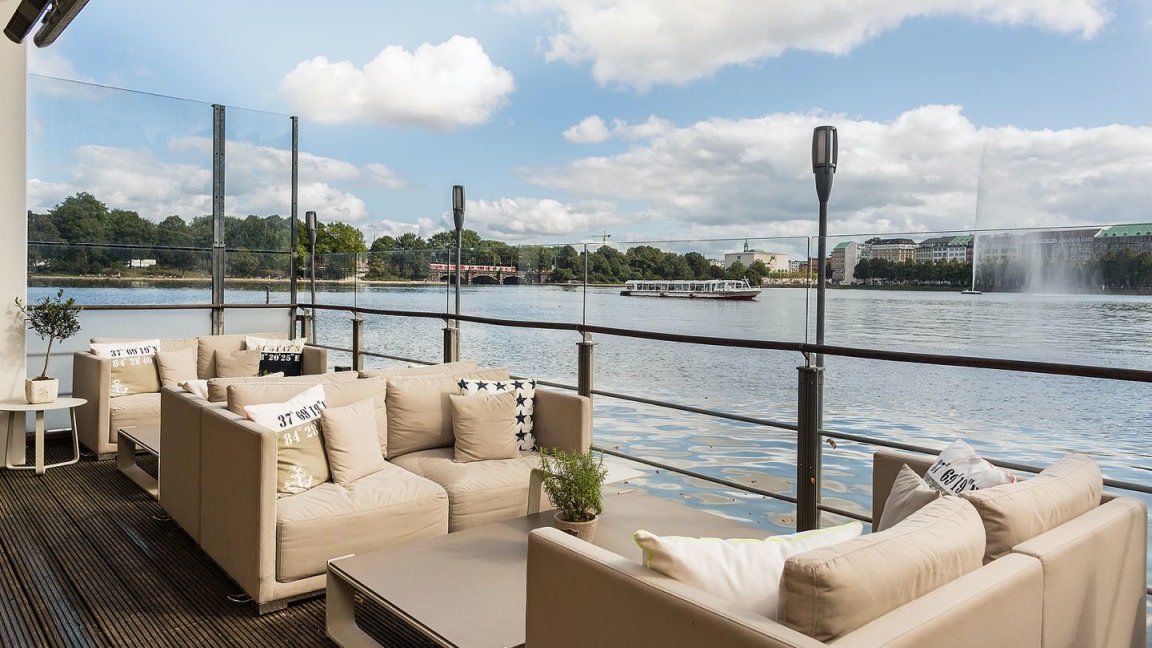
[1095,568]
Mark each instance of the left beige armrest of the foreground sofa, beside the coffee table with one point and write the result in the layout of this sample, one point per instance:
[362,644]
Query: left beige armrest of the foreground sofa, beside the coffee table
[581,596]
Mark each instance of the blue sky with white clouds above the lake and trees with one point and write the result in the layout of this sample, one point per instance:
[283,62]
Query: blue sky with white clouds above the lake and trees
[651,120]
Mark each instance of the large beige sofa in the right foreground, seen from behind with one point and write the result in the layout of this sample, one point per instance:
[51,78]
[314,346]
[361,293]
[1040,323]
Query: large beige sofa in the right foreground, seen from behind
[1080,584]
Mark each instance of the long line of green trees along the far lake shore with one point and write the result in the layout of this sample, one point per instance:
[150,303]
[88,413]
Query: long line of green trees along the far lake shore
[81,236]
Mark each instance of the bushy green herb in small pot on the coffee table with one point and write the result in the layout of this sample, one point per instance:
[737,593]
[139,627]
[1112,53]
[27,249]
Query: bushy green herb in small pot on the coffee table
[573,481]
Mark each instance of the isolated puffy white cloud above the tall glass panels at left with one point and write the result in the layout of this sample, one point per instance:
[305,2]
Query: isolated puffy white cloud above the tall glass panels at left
[438,87]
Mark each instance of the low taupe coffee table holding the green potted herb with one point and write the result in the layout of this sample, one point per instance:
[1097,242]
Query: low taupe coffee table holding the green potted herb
[468,589]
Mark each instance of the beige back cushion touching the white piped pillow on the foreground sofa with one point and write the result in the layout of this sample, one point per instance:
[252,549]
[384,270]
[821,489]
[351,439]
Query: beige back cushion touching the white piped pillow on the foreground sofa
[828,593]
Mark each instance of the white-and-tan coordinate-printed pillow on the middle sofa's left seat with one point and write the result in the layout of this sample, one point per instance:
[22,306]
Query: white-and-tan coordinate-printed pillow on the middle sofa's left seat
[301,459]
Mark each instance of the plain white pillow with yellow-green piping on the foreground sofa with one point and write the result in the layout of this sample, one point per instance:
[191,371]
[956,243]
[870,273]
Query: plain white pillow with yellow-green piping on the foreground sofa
[744,571]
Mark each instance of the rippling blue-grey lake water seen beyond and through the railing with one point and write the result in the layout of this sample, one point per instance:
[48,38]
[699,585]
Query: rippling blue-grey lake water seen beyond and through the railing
[1032,419]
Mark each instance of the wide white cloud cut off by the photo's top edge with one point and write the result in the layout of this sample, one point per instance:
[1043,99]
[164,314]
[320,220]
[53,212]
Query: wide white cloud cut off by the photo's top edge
[642,43]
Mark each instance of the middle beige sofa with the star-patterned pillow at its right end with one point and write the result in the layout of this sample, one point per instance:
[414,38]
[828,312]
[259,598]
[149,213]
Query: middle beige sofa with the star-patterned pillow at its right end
[277,547]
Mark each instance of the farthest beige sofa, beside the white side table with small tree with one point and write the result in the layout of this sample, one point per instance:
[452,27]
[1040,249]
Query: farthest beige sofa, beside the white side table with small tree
[98,420]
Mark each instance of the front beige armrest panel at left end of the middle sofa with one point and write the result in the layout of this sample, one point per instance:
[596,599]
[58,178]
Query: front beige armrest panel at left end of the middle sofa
[239,499]
